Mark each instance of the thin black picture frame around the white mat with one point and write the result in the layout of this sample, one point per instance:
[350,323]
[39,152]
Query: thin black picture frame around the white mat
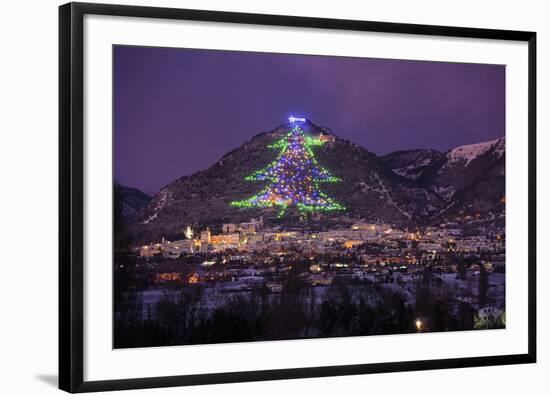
[71,224]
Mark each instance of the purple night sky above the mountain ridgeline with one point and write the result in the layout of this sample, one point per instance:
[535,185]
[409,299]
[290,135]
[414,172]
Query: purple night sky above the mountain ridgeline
[177,111]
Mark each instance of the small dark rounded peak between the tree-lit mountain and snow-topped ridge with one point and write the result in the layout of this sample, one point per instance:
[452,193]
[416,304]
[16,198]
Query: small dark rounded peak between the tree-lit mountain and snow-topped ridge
[413,163]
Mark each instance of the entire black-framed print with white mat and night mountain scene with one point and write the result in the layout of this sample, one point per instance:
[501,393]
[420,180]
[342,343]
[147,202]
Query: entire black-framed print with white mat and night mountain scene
[253,197]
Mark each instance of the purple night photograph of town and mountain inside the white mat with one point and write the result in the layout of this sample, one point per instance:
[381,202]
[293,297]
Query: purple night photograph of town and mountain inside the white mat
[277,196]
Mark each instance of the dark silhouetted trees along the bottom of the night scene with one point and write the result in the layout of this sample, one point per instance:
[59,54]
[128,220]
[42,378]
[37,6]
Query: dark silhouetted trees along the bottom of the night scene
[182,317]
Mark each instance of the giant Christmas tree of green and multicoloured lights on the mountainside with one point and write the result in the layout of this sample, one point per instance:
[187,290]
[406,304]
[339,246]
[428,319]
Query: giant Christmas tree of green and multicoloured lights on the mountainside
[293,177]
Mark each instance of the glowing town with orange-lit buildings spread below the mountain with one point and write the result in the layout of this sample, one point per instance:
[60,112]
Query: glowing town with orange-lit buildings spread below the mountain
[455,266]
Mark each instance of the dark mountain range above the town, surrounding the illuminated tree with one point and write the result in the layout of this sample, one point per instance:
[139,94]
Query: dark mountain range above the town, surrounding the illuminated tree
[405,188]
